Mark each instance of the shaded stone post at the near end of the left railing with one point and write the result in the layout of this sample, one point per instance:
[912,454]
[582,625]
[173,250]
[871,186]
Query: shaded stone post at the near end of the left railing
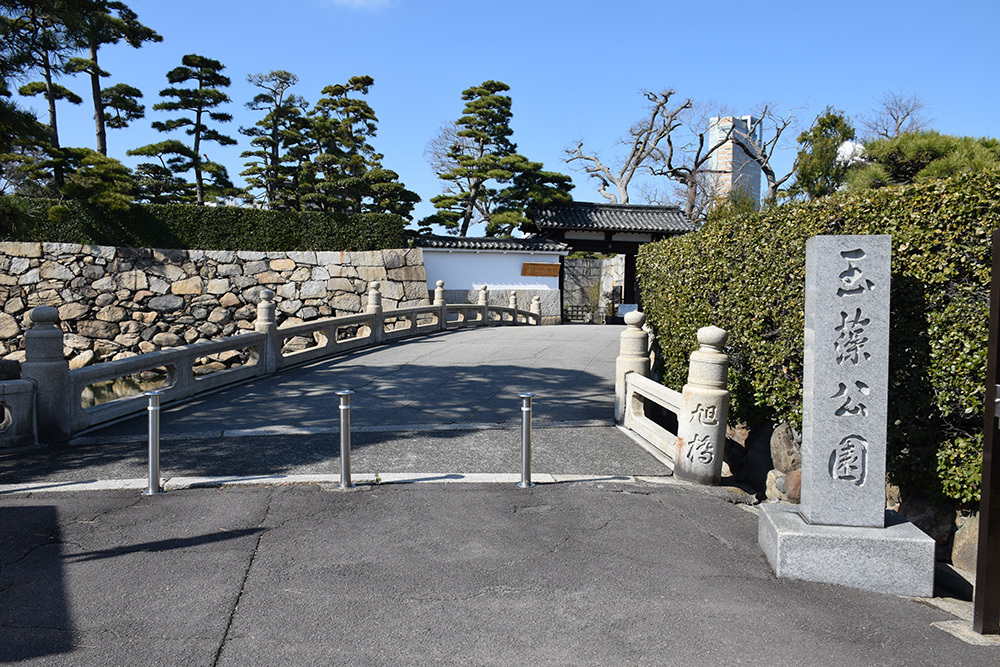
[45,365]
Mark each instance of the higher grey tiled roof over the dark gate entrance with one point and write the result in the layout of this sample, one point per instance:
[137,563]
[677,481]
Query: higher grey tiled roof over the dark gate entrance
[614,217]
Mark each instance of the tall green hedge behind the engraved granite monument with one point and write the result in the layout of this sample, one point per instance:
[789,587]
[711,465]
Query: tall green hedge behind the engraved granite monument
[745,273]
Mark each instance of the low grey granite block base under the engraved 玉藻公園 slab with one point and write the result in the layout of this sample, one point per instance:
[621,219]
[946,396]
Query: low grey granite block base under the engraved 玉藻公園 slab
[897,559]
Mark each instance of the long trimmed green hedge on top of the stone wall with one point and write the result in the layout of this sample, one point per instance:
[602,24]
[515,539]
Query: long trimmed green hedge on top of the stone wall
[197,227]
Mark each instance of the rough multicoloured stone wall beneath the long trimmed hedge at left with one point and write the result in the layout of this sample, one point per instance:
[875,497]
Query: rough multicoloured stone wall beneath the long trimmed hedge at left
[119,302]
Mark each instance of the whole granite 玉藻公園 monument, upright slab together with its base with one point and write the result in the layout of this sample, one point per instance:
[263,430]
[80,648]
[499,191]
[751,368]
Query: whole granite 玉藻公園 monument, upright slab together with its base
[841,533]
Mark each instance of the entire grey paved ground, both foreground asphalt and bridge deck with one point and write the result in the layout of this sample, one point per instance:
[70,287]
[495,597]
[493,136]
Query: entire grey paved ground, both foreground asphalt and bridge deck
[611,561]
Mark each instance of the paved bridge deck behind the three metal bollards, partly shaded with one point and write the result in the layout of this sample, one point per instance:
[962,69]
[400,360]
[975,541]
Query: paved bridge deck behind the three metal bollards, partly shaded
[446,404]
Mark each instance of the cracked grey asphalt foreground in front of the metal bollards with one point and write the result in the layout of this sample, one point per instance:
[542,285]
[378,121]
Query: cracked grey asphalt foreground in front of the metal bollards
[576,573]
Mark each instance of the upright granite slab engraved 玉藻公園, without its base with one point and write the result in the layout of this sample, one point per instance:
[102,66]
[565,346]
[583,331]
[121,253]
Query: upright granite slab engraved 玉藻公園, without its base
[845,380]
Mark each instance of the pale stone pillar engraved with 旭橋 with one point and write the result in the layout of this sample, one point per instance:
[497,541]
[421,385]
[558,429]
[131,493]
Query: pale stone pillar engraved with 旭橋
[701,424]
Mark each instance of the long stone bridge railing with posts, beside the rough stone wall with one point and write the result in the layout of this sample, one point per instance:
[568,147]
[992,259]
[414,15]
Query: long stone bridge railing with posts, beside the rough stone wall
[64,402]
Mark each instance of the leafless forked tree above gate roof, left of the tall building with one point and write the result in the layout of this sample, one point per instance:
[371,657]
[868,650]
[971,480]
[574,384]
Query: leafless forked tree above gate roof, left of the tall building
[644,139]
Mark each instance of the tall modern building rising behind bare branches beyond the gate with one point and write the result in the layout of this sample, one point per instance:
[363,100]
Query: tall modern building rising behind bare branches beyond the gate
[735,170]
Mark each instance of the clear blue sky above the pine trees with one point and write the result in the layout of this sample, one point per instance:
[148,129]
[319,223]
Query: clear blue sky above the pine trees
[575,67]
